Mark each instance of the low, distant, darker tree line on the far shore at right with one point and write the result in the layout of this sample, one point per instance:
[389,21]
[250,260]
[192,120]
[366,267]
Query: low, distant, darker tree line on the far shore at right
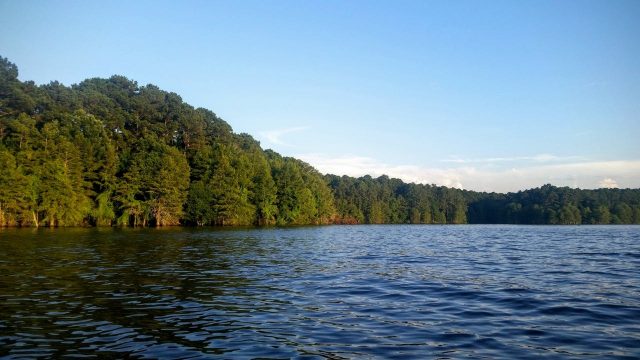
[384,200]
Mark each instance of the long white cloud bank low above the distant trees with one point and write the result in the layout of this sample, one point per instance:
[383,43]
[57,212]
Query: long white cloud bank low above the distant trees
[586,175]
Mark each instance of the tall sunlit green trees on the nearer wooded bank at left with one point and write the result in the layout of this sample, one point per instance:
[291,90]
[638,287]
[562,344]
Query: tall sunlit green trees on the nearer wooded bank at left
[110,152]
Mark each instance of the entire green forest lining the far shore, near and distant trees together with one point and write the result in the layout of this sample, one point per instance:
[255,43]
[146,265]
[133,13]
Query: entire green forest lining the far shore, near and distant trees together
[109,152]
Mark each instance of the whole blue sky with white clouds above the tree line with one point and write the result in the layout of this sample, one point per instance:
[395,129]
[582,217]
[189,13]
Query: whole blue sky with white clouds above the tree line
[482,95]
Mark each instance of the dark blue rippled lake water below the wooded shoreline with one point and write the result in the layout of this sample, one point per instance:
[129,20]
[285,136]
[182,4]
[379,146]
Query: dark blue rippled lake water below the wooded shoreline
[322,292]
